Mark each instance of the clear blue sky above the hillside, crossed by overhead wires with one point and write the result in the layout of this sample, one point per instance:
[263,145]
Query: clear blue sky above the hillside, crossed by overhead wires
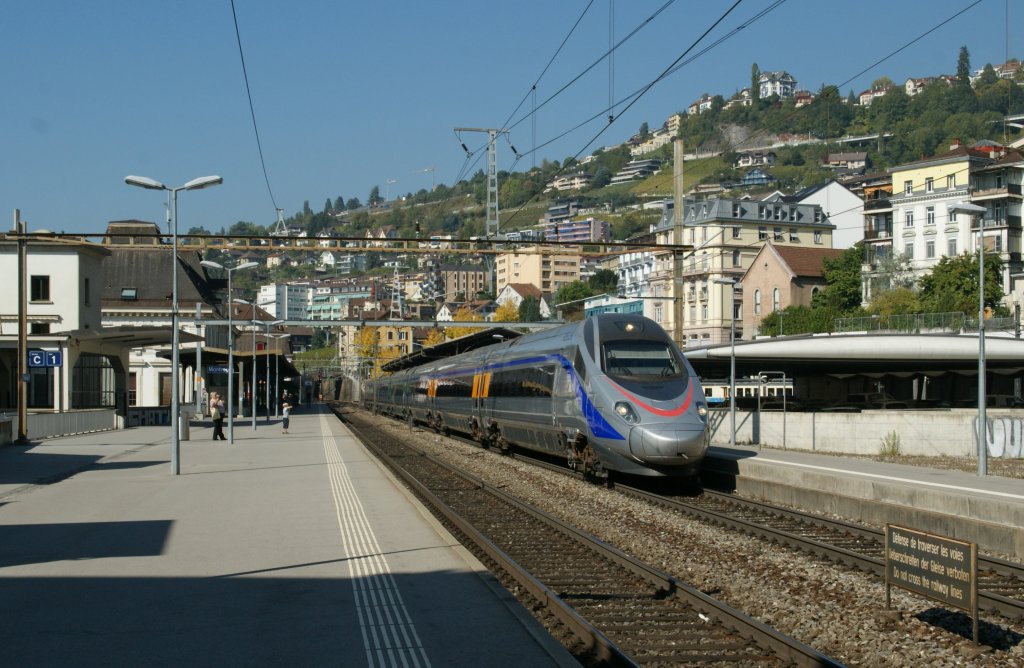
[349,96]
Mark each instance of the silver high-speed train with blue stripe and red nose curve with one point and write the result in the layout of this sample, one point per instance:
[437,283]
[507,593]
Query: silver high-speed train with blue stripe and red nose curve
[613,393]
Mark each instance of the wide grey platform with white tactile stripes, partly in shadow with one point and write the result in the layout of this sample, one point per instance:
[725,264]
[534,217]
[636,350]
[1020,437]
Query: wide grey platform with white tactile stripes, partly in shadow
[277,550]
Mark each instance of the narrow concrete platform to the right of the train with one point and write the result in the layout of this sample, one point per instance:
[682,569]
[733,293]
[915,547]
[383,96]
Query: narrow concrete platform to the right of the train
[987,511]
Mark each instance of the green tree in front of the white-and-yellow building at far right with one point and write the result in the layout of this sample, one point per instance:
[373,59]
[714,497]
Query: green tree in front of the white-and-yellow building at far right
[953,284]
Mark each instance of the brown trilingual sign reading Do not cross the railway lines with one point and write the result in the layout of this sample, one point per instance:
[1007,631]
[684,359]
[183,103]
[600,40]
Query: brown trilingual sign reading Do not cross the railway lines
[936,567]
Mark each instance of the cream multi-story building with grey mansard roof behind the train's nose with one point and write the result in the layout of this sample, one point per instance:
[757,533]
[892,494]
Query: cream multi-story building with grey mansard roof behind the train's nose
[726,236]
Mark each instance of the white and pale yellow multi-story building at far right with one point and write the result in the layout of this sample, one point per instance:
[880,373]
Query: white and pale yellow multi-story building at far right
[923,229]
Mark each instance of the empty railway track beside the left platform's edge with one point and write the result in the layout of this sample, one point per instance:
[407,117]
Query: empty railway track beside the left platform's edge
[624,612]
